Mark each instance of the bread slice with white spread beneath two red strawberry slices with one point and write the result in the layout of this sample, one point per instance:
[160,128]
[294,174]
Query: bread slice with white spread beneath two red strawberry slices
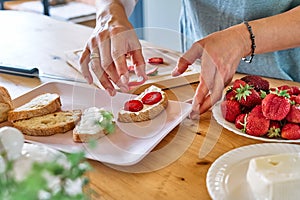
[149,111]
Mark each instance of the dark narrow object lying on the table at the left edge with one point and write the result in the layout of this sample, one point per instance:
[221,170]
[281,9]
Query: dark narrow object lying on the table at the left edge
[20,71]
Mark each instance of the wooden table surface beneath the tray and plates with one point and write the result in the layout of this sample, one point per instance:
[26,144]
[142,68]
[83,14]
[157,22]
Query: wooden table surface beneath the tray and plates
[35,40]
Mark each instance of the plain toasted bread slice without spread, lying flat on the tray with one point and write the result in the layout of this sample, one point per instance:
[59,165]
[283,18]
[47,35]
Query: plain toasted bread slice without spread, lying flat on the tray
[50,124]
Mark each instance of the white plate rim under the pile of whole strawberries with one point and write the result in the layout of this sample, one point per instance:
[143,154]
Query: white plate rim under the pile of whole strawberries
[230,126]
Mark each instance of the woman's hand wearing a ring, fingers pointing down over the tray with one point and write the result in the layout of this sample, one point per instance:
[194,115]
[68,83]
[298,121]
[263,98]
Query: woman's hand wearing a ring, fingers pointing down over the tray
[112,42]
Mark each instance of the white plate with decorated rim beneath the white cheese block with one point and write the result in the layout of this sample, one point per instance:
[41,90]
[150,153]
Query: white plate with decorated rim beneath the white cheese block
[226,178]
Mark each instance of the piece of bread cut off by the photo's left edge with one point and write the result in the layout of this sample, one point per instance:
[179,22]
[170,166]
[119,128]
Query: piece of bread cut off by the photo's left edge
[6,104]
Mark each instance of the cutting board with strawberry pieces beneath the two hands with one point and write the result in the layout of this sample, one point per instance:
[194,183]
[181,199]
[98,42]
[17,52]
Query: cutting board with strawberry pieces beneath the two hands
[163,78]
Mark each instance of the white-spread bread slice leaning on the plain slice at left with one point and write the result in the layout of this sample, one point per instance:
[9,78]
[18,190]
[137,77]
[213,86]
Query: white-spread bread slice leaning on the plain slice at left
[38,106]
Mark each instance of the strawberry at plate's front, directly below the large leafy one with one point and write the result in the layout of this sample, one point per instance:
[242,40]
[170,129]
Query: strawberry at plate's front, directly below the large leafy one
[257,124]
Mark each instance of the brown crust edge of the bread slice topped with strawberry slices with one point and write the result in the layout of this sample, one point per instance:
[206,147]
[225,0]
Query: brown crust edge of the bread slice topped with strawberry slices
[145,114]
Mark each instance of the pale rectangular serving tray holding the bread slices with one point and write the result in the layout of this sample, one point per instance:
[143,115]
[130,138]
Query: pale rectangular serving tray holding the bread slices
[128,144]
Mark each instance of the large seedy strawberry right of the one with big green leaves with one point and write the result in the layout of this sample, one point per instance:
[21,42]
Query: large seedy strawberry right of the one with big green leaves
[275,107]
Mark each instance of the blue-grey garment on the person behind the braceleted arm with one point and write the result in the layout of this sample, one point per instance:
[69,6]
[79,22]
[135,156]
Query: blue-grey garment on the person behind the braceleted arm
[202,17]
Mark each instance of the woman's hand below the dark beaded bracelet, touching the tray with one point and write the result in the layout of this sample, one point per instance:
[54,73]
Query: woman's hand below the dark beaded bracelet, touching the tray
[220,54]
